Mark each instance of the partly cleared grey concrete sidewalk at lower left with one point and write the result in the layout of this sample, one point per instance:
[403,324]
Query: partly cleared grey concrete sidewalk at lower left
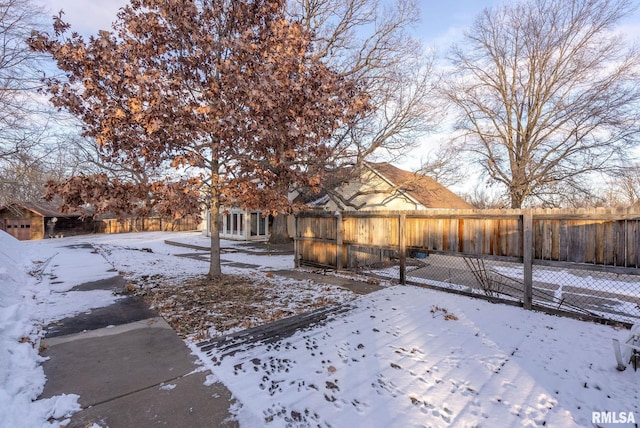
[129,368]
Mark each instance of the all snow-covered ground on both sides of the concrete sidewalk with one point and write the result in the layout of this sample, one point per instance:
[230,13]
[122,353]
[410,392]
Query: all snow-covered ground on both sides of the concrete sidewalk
[403,356]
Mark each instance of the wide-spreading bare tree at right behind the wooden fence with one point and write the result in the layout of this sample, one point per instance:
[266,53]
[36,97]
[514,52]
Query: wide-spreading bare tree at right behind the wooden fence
[547,94]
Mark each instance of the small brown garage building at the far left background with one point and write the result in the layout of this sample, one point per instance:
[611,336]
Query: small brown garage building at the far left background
[31,220]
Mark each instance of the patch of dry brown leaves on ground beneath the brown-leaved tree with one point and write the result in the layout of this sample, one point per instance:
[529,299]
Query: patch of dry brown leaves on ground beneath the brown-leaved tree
[199,308]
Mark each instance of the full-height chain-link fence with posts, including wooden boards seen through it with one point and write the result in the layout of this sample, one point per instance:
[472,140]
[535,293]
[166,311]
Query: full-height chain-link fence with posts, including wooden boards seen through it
[580,262]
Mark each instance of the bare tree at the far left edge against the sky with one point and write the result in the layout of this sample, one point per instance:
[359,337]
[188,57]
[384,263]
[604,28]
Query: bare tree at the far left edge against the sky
[30,155]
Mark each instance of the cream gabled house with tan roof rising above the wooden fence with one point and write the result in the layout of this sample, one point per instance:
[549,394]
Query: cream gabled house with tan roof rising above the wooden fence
[384,187]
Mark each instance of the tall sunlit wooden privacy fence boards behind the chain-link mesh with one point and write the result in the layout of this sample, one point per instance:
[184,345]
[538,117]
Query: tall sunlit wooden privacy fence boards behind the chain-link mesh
[602,239]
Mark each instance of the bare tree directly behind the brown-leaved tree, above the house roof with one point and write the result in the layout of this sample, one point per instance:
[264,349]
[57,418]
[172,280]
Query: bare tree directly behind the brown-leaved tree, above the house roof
[370,42]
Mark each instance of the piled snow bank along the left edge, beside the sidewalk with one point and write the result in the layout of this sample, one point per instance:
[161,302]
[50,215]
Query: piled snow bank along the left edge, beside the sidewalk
[21,375]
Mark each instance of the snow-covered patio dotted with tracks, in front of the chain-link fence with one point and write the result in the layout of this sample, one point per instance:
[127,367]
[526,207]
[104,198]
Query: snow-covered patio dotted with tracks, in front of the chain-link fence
[397,359]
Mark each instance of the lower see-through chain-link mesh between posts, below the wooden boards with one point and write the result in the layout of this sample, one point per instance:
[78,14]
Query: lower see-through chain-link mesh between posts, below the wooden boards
[582,292]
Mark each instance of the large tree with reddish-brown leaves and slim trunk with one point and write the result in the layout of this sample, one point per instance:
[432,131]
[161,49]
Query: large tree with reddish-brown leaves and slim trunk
[226,92]
